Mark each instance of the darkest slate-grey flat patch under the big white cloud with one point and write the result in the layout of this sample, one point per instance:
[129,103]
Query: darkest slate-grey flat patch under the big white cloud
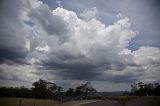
[74,71]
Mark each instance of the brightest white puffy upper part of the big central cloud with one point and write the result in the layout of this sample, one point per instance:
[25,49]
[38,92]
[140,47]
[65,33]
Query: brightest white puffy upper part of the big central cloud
[92,39]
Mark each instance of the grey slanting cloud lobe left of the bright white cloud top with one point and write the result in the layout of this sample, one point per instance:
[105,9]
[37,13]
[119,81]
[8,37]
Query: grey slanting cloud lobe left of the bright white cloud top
[52,24]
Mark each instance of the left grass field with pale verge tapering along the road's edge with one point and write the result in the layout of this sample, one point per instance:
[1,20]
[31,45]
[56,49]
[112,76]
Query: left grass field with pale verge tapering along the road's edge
[39,102]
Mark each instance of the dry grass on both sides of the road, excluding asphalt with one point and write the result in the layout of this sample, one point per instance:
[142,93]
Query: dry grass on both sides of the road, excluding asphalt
[123,100]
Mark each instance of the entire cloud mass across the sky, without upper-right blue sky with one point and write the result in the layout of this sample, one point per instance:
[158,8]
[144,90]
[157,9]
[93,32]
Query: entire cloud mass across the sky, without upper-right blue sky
[60,44]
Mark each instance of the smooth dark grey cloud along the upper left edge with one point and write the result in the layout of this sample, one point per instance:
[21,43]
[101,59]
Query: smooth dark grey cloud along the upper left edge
[12,41]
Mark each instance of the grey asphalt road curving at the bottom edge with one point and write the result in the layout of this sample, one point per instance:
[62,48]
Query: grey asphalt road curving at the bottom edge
[104,103]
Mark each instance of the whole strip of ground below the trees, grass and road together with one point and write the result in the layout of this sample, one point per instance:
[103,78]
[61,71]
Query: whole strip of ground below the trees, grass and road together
[110,101]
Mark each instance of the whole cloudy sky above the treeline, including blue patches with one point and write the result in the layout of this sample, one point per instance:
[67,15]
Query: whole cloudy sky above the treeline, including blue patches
[110,43]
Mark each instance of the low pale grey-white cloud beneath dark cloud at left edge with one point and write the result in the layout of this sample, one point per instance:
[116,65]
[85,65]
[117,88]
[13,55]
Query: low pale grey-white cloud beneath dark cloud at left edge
[18,72]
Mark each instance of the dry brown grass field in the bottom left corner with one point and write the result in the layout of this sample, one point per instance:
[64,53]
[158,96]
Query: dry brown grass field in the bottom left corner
[26,102]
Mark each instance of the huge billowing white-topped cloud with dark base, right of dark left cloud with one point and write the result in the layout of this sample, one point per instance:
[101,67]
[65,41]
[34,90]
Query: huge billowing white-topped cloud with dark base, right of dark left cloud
[67,46]
